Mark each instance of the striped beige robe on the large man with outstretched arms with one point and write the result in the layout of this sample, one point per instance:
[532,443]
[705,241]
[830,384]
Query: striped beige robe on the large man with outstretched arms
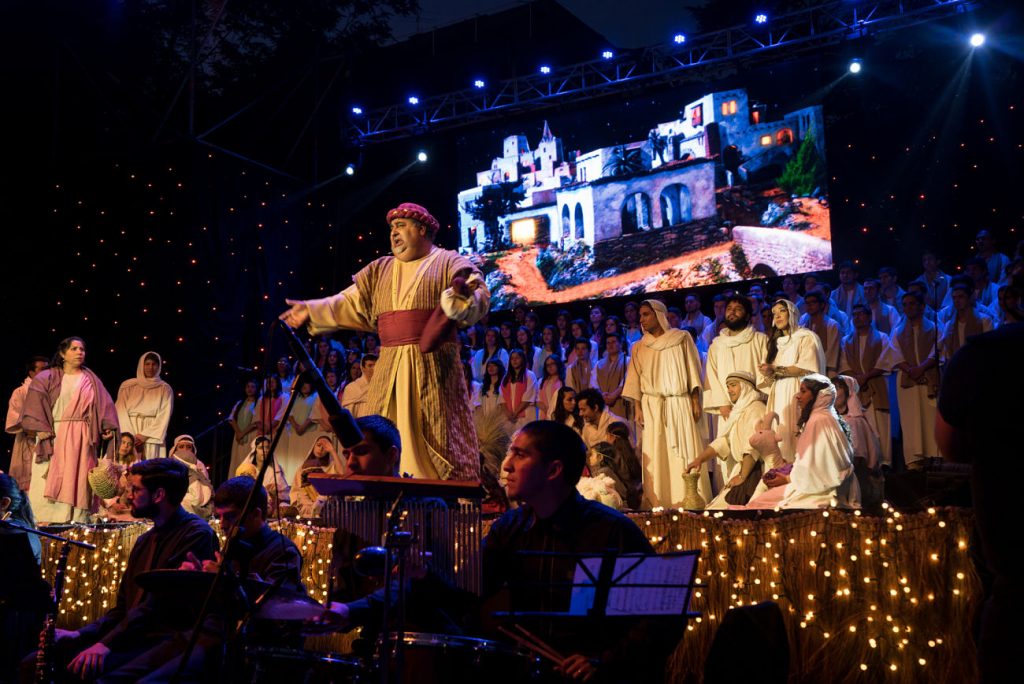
[423,394]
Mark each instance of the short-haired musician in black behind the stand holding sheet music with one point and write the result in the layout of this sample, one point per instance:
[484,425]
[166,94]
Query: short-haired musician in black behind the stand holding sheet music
[544,464]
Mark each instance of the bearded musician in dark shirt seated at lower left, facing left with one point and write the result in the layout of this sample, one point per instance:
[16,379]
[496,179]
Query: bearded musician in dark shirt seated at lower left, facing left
[139,621]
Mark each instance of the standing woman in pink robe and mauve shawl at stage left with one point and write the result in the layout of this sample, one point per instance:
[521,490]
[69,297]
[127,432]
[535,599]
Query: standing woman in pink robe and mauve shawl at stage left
[68,412]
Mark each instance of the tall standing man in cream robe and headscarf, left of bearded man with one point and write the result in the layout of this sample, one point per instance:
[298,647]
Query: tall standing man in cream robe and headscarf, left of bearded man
[664,381]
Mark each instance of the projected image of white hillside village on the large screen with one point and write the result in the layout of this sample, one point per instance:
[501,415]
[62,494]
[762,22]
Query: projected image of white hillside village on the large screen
[722,194]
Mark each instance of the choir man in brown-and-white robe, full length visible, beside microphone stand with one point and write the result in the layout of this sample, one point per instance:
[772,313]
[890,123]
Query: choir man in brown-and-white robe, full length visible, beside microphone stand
[913,345]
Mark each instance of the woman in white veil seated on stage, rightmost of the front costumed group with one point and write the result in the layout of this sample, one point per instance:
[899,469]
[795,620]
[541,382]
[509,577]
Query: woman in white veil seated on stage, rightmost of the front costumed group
[823,474]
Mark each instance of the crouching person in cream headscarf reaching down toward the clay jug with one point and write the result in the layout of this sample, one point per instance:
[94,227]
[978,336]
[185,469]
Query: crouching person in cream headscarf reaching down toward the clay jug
[733,445]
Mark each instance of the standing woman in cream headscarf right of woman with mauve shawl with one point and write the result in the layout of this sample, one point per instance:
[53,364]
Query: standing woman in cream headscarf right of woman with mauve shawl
[145,404]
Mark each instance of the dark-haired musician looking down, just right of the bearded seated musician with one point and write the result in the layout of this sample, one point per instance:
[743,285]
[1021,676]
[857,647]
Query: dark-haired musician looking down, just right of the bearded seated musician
[261,554]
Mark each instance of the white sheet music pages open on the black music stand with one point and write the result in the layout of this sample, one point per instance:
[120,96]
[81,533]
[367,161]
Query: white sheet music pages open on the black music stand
[672,574]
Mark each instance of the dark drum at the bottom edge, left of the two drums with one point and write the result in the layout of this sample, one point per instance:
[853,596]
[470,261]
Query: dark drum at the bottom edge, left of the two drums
[295,665]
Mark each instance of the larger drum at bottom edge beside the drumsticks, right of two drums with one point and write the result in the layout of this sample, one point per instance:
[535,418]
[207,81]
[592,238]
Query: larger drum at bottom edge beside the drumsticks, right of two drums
[441,658]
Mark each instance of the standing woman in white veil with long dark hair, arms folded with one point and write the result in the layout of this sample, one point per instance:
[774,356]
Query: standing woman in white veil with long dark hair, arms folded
[793,354]
